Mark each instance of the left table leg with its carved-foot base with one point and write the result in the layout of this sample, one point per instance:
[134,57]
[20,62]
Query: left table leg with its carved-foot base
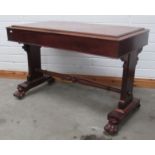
[34,77]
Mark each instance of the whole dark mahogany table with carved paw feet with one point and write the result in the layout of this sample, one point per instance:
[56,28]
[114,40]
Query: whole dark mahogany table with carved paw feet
[118,42]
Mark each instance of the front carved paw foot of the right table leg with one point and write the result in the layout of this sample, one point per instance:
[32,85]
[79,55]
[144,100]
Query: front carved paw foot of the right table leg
[111,129]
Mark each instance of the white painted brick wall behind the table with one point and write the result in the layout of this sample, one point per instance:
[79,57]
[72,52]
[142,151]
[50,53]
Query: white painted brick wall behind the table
[12,57]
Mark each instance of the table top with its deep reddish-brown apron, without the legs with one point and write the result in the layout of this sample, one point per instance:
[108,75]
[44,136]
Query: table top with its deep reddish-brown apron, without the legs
[105,40]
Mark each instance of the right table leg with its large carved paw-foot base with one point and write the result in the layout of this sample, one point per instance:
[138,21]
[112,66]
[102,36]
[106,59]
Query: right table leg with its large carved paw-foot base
[127,104]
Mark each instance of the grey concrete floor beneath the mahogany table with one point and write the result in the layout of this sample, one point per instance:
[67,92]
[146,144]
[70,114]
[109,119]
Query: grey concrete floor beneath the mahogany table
[69,111]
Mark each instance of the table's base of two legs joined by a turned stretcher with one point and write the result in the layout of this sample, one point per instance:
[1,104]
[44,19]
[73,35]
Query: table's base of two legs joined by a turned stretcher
[127,103]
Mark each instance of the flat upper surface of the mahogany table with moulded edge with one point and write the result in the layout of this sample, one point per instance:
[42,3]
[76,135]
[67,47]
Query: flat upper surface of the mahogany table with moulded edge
[101,31]
